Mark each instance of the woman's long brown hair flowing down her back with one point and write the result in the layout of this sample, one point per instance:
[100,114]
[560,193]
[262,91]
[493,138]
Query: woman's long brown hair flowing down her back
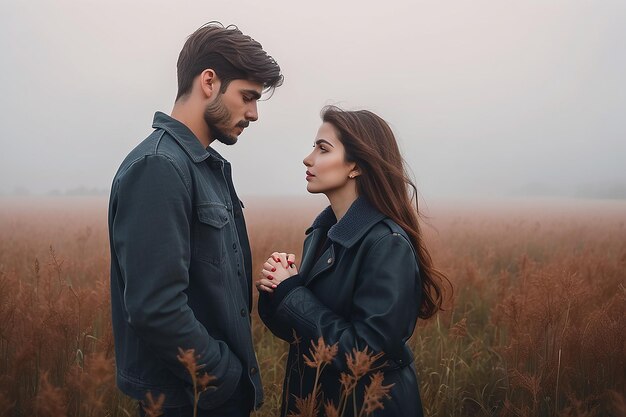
[370,143]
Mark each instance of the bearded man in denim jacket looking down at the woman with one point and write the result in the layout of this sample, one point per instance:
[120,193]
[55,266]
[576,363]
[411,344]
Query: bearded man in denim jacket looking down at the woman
[180,256]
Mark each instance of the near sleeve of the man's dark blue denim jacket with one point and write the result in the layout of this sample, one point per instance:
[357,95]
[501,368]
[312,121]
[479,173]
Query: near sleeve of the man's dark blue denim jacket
[151,238]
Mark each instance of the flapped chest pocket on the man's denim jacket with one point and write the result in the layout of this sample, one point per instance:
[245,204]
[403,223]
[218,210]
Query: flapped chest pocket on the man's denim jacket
[210,233]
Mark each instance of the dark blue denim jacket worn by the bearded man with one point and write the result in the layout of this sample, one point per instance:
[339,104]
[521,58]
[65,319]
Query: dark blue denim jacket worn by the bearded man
[180,271]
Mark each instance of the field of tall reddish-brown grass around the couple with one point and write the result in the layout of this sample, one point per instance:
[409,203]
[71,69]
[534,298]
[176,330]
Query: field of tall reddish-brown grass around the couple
[536,326]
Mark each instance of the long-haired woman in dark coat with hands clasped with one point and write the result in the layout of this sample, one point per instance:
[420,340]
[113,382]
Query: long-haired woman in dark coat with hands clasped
[365,275]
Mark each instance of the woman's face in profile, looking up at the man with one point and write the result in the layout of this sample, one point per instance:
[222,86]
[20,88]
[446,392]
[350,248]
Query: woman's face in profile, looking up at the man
[327,169]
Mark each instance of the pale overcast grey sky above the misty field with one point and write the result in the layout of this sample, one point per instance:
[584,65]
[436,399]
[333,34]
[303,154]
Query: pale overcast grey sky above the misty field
[485,97]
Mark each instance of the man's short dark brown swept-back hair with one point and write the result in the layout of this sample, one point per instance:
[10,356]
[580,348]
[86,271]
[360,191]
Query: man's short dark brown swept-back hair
[230,53]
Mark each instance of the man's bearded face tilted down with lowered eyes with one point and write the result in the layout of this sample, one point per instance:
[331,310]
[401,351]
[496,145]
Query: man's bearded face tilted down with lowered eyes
[232,111]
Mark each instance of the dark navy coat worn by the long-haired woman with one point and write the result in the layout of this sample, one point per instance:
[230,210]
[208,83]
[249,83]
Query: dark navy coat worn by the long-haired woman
[364,290]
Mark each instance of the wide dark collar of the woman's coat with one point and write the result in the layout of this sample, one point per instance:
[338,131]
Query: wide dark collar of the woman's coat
[359,218]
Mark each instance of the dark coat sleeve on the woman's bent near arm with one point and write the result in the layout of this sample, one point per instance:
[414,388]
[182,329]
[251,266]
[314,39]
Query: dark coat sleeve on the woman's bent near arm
[385,305]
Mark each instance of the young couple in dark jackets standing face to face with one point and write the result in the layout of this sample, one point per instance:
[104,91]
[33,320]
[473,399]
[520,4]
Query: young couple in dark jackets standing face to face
[181,272]
